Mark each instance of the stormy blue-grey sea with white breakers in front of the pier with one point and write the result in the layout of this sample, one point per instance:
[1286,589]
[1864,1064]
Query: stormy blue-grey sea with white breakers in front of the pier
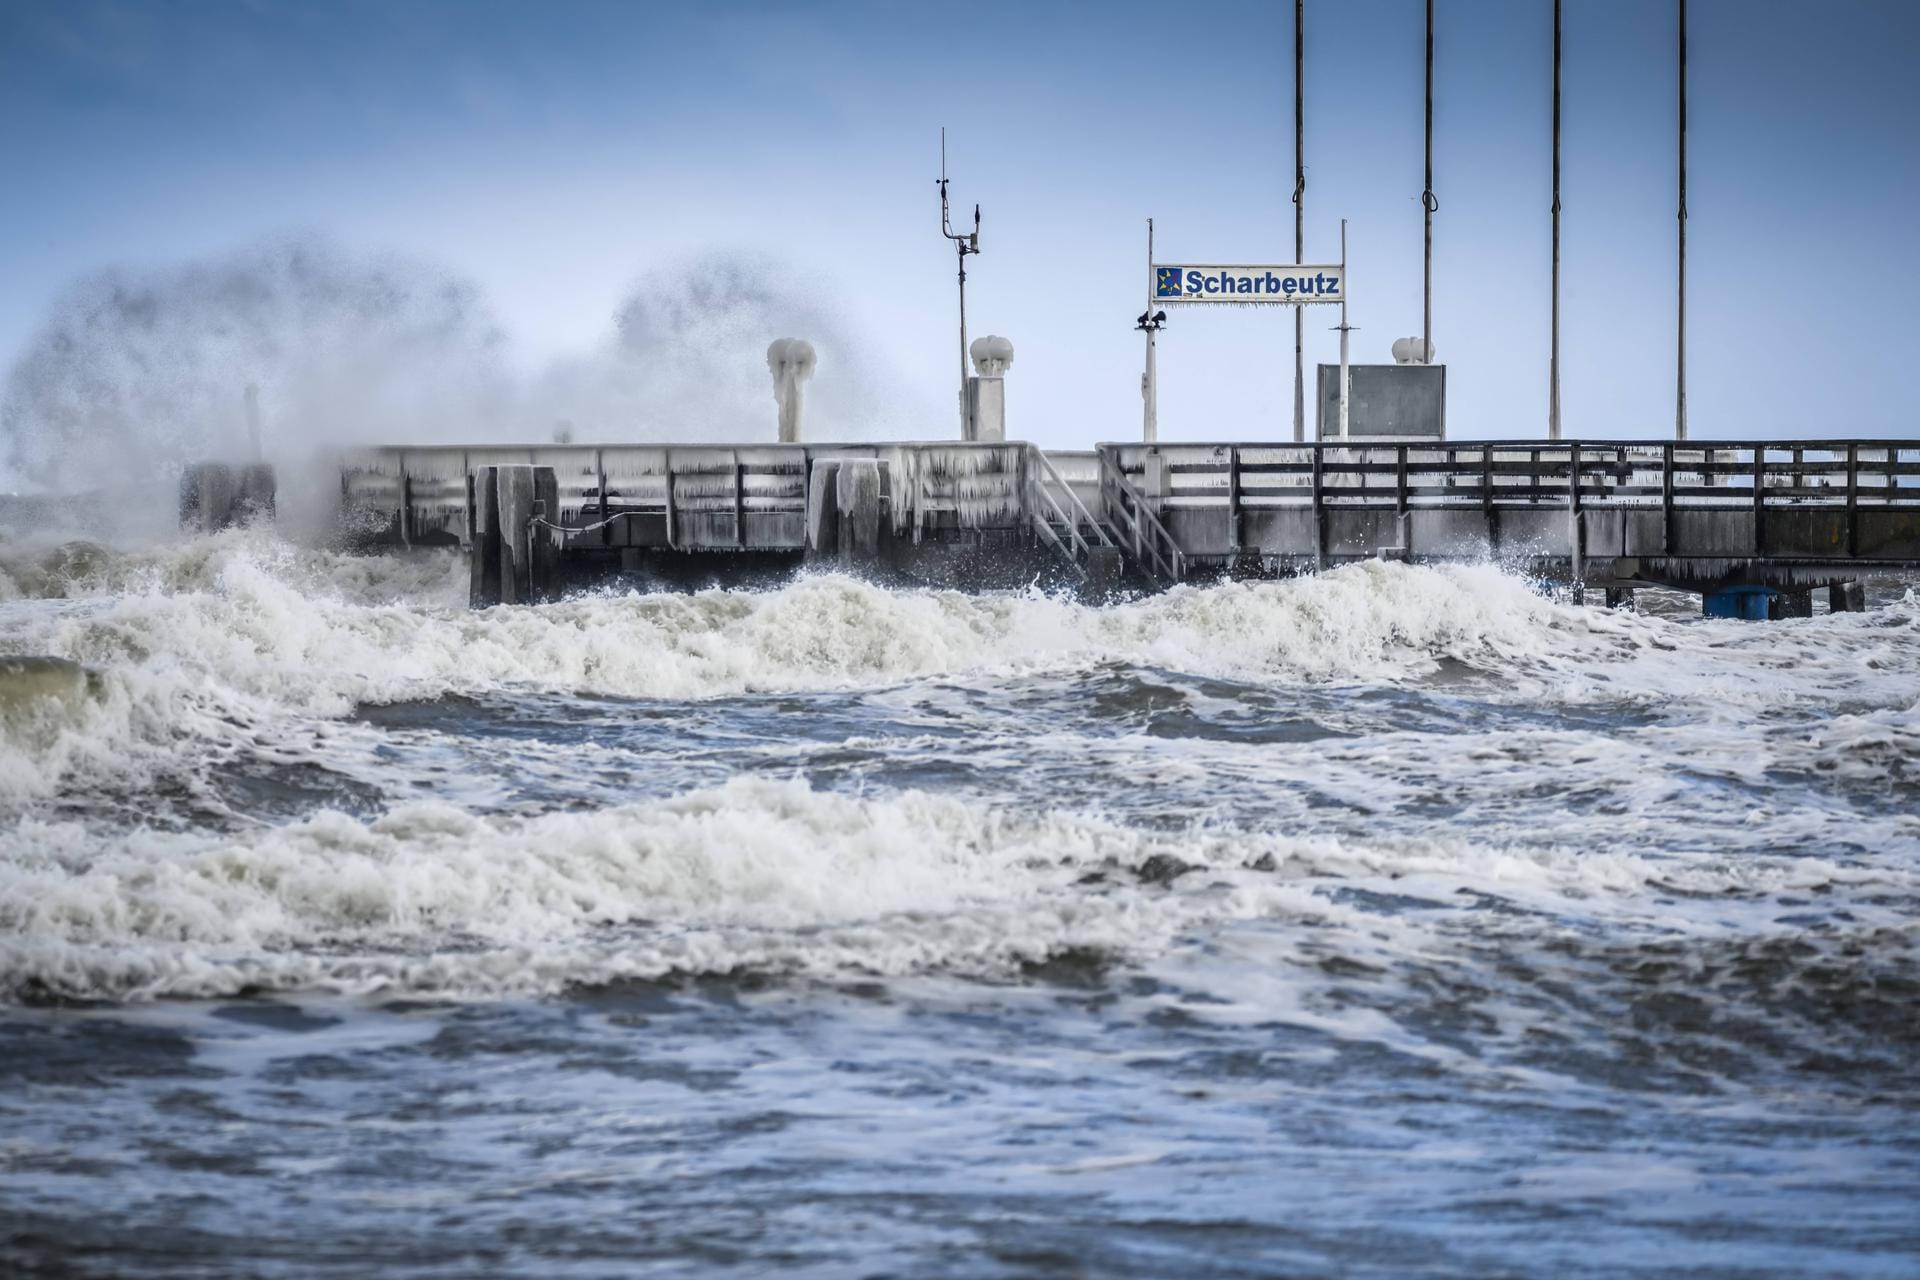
[1391,922]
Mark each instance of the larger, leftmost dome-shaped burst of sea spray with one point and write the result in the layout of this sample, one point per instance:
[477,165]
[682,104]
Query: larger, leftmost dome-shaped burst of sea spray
[141,371]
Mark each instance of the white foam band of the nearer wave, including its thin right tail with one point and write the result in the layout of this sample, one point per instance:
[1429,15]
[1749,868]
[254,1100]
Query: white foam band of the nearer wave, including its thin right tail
[771,876]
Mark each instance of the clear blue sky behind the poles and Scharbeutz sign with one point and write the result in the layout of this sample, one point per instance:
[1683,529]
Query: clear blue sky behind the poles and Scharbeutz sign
[564,154]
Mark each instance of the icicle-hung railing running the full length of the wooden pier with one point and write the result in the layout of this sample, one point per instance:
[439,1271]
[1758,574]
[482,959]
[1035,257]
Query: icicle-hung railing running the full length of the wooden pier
[1717,506]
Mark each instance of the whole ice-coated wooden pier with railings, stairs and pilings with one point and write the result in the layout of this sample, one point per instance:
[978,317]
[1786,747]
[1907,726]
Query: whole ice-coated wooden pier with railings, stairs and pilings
[1754,527]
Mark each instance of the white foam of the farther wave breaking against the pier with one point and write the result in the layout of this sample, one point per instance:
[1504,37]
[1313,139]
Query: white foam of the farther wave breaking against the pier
[212,640]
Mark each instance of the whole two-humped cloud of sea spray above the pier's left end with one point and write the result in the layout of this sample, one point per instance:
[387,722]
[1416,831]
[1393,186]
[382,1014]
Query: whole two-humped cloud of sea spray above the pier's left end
[139,373]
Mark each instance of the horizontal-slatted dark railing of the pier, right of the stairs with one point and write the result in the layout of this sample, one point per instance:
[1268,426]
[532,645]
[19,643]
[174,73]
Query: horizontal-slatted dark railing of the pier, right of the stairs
[1716,506]
